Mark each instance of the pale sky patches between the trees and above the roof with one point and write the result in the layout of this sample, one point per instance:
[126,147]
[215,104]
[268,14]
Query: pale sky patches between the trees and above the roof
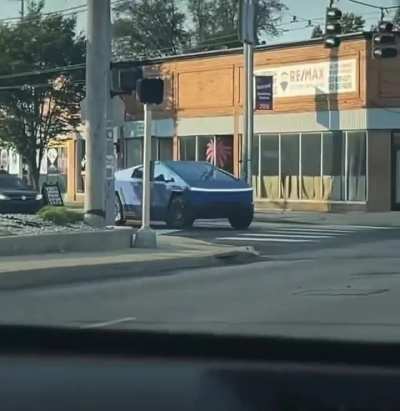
[302,9]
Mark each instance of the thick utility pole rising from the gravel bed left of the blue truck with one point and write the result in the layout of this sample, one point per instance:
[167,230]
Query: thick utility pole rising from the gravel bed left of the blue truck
[97,93]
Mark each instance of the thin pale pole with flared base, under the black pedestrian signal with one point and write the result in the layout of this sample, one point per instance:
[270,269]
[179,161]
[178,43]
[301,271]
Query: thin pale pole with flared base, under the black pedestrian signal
[146,237]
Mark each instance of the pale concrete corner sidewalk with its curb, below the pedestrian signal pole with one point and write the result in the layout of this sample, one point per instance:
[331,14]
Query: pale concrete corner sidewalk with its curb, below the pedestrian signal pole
[174,253]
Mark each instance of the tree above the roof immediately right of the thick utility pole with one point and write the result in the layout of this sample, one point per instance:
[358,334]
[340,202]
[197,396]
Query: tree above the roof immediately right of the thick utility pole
[148,28]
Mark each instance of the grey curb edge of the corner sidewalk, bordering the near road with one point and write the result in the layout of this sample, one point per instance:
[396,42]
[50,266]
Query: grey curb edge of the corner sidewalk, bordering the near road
[112,271]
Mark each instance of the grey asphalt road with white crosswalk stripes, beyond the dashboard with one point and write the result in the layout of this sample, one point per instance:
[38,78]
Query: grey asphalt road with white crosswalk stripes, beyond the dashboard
[338,282]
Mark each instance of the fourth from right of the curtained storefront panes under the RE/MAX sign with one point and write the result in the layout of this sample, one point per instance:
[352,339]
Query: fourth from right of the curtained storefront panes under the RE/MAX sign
[290,166]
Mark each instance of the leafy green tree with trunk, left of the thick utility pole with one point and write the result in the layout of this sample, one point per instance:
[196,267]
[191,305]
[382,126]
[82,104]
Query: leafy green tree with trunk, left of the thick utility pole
[37,108]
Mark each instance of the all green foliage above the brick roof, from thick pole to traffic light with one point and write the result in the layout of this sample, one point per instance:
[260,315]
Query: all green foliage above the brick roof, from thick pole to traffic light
[148,28]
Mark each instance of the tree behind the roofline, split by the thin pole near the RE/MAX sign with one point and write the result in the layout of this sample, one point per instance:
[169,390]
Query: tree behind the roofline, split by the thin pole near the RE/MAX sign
[216,22]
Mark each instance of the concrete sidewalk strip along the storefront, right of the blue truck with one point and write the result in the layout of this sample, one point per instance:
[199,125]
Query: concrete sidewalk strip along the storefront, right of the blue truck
[386,219]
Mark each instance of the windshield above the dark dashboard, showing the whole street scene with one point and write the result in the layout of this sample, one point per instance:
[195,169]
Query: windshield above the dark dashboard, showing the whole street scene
[273,207]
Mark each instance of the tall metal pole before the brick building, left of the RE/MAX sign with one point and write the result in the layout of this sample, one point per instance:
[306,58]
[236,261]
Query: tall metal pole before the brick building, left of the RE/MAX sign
[248,36]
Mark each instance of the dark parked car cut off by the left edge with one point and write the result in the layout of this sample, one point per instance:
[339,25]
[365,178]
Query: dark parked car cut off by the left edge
[17,197]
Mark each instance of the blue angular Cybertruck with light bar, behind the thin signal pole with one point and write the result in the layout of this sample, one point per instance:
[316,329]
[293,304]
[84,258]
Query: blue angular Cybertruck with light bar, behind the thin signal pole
[182,191]
